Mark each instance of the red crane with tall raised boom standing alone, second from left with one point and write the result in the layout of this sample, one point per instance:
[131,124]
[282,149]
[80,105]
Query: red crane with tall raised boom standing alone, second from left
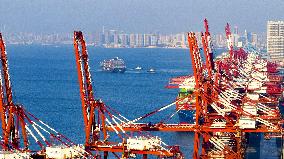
[96,115]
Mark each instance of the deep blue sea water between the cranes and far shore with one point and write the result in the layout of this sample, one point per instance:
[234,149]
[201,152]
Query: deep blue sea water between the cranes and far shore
[44,79]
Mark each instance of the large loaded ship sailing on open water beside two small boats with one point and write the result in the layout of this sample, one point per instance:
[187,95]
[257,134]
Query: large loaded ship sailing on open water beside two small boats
[115,65]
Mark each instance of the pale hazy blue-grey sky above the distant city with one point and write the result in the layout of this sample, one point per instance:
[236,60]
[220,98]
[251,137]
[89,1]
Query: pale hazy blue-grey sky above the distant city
[166,16]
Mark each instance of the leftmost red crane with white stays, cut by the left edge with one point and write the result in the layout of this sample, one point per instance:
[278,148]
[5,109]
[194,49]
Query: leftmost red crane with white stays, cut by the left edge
[20,128]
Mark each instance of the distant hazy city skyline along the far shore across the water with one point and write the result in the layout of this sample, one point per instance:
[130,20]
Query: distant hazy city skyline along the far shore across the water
[121,39]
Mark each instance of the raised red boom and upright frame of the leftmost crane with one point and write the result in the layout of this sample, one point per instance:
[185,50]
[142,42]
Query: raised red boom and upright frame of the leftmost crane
[11,116]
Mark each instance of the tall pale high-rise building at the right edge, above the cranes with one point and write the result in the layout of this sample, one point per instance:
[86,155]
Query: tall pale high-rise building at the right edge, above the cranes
[275,40]
